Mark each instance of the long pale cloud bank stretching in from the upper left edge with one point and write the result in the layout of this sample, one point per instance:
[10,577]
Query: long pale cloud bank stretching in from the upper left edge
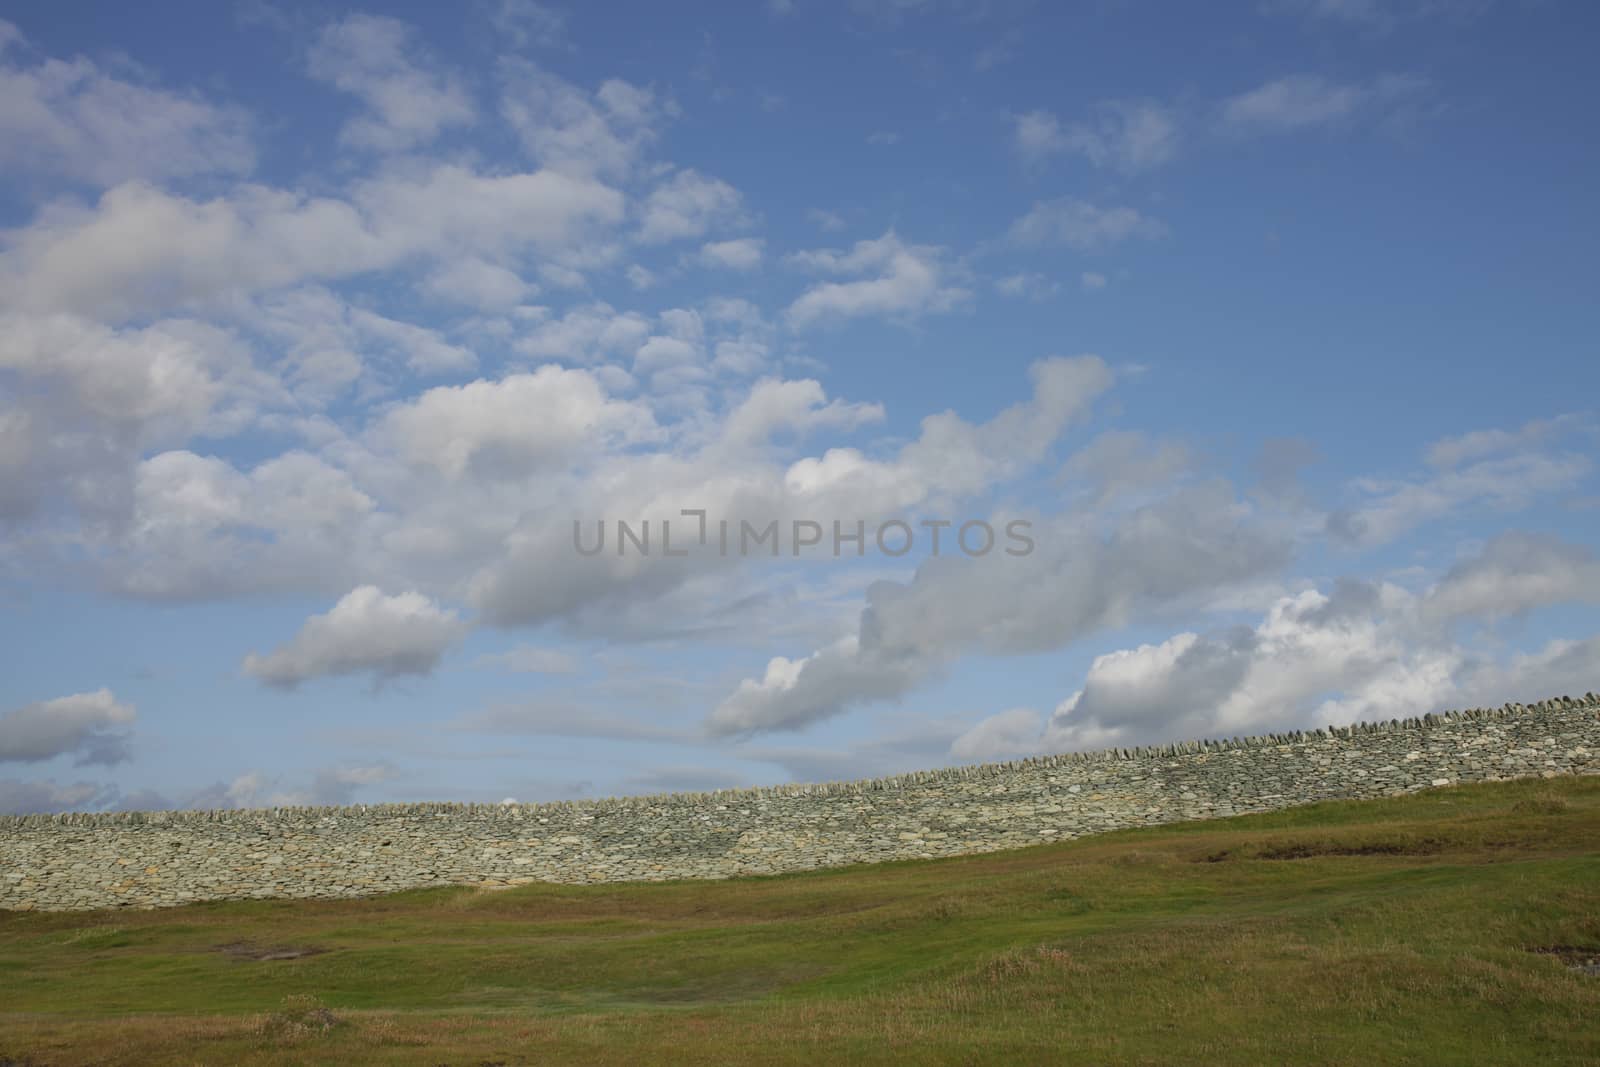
[142,250]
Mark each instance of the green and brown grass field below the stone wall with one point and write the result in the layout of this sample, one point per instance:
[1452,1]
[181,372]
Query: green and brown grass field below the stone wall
[1439,929]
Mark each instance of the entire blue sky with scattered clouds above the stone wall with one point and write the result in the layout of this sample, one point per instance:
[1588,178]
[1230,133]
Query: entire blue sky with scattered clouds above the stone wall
[1258,337]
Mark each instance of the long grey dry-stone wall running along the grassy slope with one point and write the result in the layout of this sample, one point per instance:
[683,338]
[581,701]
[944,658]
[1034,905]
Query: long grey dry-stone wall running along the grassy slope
[153,860]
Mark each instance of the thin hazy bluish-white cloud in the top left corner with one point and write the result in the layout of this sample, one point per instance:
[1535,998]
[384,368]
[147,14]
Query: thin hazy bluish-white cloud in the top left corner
[74,119]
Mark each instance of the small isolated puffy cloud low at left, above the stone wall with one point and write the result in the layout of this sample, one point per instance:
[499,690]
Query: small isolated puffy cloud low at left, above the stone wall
[367,633]
